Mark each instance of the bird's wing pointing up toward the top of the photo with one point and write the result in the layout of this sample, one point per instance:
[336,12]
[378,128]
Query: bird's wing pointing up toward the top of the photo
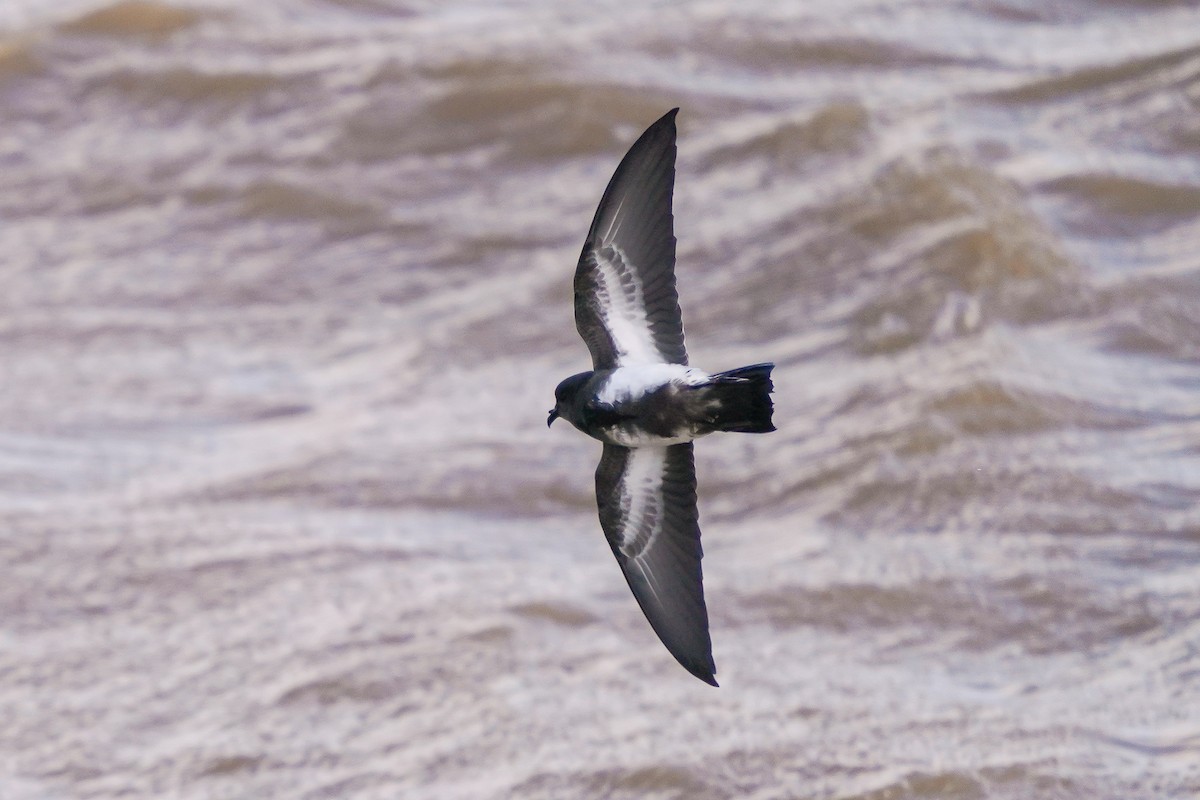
[627,309]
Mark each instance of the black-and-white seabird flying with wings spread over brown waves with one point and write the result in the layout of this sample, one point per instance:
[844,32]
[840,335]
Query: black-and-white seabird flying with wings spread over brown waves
[644,401]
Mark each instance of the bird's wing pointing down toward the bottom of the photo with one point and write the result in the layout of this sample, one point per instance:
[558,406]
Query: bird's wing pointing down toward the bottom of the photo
[647,498]
